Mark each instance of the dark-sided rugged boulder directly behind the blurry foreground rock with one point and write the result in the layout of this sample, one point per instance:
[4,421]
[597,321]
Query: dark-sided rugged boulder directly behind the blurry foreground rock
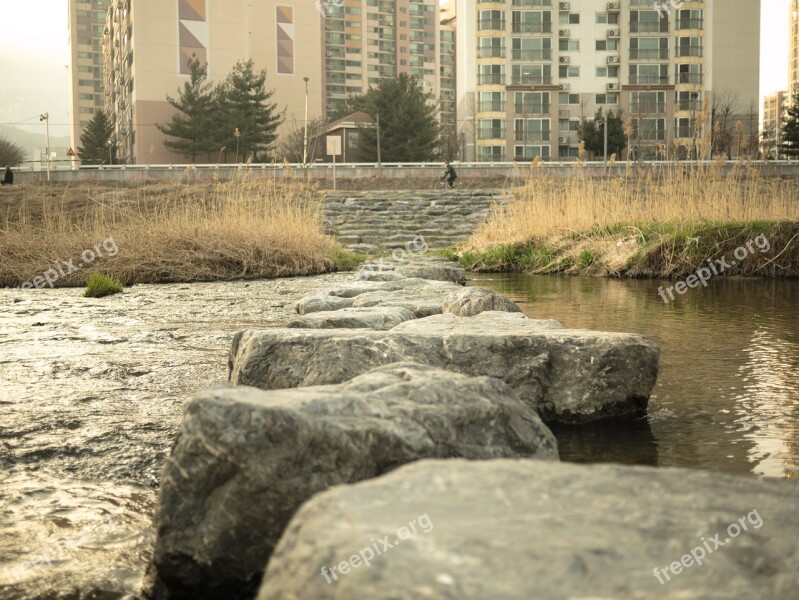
[246,459]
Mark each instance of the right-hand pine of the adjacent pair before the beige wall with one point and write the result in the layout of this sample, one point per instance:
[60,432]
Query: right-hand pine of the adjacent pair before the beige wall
[247,121]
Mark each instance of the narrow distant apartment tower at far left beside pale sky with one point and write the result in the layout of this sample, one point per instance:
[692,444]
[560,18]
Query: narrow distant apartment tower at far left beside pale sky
[86,25]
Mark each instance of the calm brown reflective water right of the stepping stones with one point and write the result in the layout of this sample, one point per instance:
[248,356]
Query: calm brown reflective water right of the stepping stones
[727,397]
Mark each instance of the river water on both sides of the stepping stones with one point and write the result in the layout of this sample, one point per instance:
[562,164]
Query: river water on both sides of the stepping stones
[91,394]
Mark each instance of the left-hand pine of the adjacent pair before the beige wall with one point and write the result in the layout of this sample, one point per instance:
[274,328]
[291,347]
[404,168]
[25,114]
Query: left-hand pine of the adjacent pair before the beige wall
[192,126]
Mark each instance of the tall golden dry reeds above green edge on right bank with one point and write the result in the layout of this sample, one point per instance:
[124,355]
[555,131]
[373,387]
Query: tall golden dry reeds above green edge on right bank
[664,199]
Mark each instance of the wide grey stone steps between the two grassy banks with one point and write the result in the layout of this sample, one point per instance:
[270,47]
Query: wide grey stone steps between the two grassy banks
[377,222]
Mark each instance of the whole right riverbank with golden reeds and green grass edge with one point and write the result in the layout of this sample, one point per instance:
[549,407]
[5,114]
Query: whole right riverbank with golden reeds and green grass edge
[655,224]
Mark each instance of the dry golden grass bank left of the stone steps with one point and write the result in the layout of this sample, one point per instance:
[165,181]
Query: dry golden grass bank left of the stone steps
[163,232]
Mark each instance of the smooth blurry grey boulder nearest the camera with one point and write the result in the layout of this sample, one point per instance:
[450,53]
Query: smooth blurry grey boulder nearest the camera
[520,529]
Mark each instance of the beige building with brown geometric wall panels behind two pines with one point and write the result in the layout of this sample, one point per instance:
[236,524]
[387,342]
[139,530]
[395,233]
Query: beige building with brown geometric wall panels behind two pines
[147,44]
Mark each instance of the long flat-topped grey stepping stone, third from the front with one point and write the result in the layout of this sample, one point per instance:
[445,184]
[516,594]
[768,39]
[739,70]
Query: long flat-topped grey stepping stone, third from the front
[567,376]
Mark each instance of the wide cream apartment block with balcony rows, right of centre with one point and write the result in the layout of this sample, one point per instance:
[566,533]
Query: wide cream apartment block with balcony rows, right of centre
[529,70]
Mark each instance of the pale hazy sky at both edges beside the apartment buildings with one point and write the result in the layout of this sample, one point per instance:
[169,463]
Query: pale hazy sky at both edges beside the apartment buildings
[34,54]
